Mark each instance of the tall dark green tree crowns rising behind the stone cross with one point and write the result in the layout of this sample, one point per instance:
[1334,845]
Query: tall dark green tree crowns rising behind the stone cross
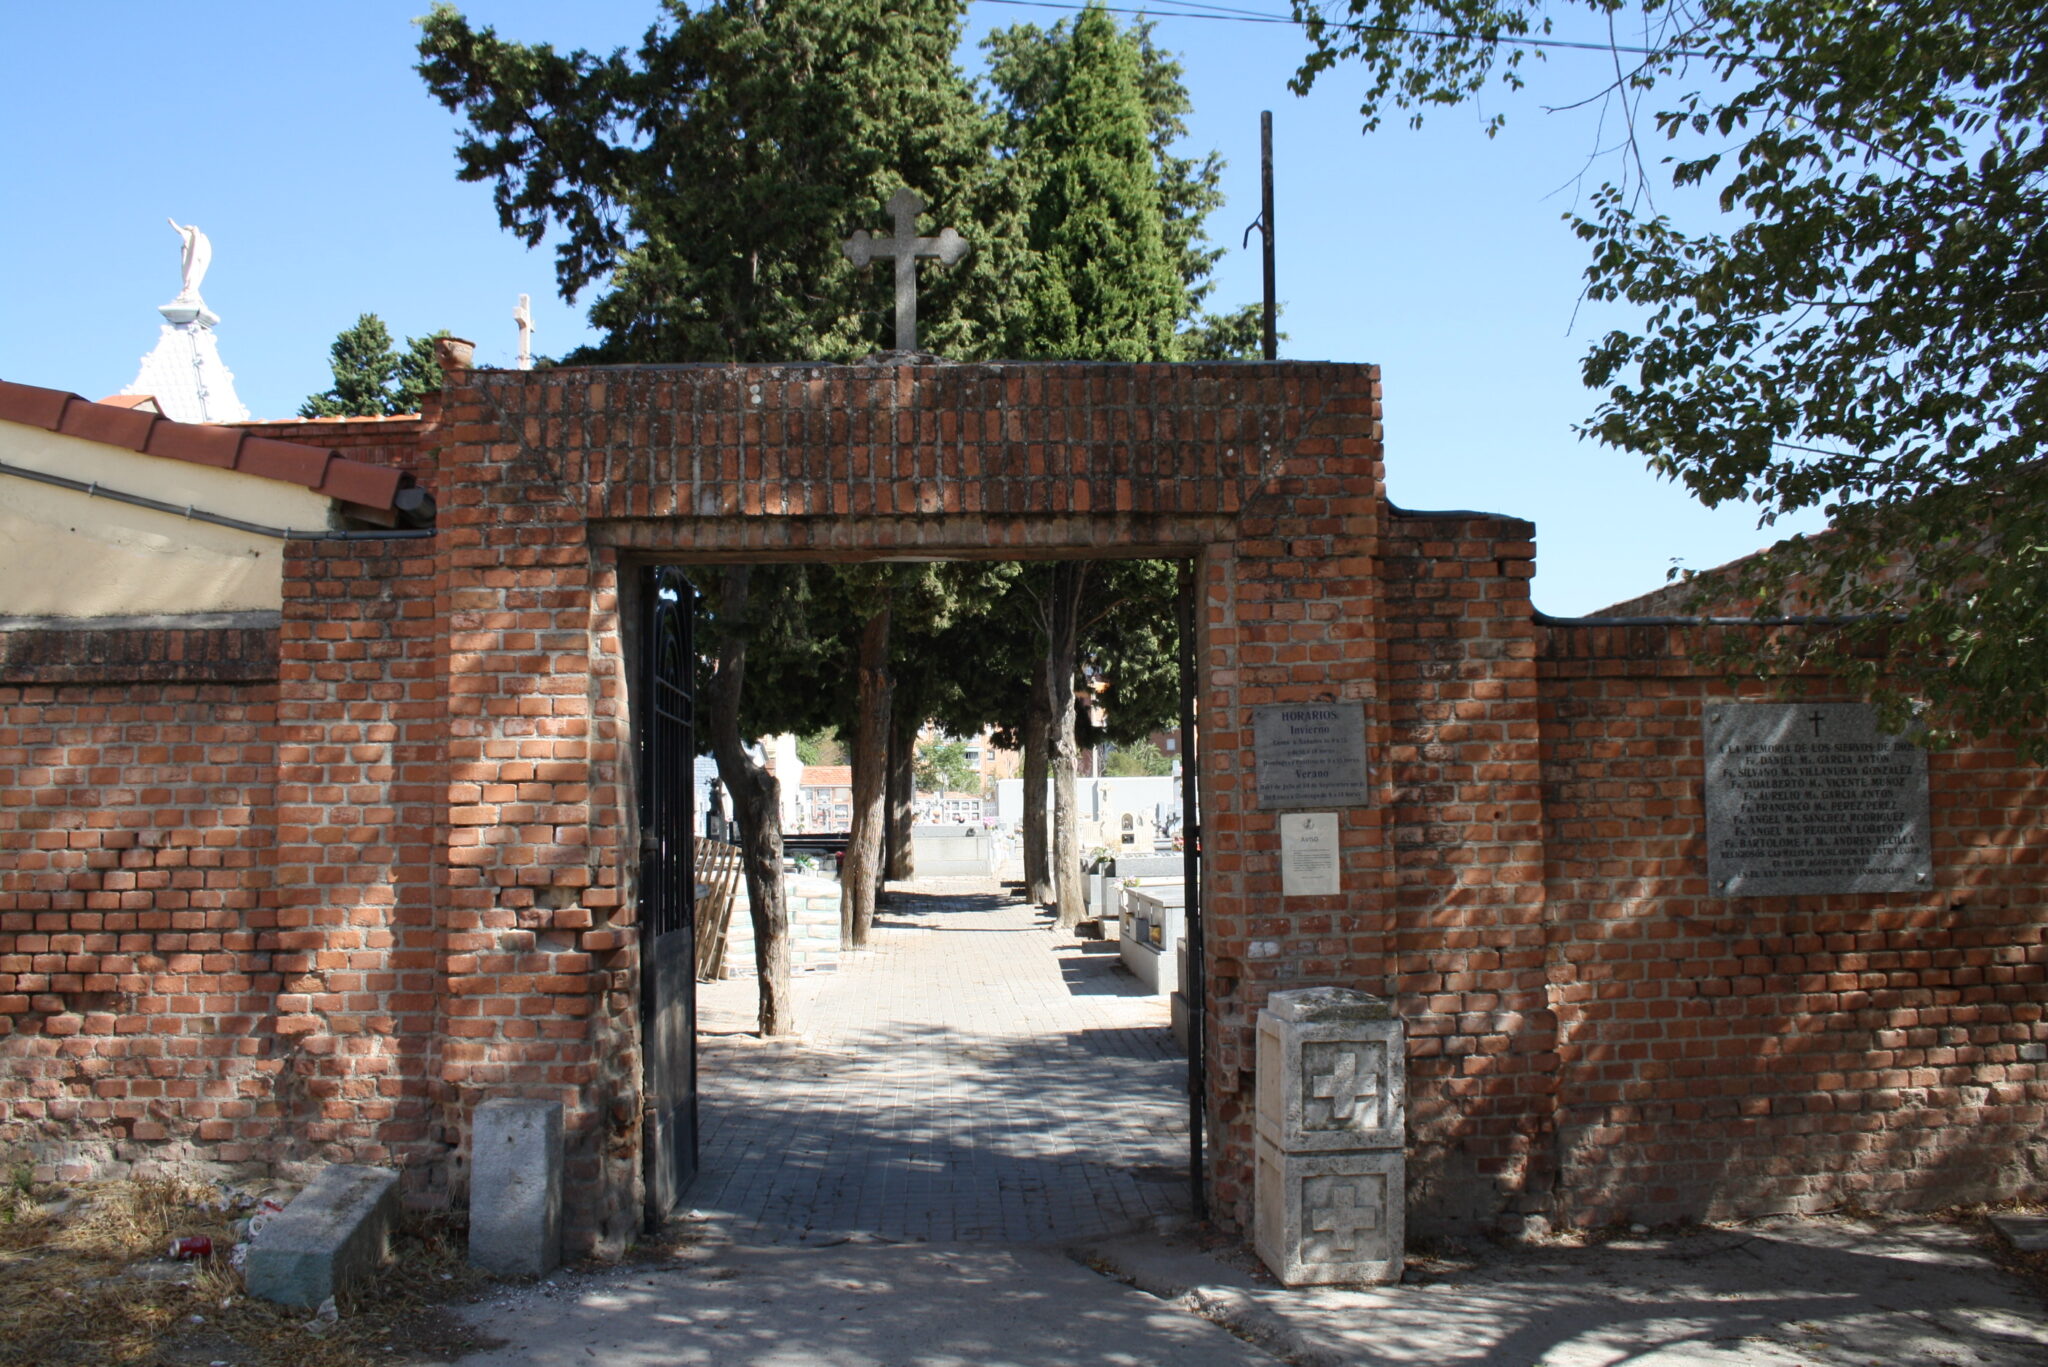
[706,181]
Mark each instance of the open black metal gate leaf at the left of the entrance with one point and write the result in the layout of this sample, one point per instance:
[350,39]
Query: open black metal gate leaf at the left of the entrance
[669,895]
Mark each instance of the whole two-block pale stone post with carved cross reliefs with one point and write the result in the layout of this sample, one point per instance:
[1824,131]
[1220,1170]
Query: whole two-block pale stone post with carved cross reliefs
[1330,1167]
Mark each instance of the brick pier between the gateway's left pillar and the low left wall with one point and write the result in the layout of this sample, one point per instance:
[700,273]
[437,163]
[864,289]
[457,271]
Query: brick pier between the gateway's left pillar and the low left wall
[357,1024]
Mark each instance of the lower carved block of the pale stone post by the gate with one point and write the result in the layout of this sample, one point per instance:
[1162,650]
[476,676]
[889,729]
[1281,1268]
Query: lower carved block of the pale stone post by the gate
[1330,1218]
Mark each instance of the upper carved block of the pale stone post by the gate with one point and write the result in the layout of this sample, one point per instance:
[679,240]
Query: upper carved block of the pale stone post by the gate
[1332,1073]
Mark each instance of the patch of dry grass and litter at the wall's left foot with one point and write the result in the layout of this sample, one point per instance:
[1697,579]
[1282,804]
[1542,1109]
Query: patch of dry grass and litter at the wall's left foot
[85,1280]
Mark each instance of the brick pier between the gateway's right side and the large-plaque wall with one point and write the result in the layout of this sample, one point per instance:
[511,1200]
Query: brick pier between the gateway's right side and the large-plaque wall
[1467,958]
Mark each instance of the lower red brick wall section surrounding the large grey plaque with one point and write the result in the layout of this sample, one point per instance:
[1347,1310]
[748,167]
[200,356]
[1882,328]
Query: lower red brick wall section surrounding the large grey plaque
[1727,1057]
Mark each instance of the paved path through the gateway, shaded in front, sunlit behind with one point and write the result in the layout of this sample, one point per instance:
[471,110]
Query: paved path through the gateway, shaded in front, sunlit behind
[968,1077]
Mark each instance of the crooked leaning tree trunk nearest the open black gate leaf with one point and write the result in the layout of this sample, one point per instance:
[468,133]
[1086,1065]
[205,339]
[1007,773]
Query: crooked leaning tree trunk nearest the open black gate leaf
[759,811]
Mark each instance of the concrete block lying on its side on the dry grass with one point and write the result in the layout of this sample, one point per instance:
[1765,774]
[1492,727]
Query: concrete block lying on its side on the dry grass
[335,1235]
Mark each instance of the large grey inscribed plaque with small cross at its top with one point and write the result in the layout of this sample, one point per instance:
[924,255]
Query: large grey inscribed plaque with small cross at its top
[1814,798]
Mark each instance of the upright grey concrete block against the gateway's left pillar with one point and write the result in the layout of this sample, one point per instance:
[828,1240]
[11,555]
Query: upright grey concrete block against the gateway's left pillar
[515,1188]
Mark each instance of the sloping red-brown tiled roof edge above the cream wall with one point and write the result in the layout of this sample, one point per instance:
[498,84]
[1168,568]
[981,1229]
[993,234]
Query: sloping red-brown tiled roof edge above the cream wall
[325,472]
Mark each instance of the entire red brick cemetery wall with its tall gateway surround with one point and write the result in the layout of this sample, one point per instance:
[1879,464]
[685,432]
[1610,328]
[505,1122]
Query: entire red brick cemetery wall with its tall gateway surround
[423,890]
